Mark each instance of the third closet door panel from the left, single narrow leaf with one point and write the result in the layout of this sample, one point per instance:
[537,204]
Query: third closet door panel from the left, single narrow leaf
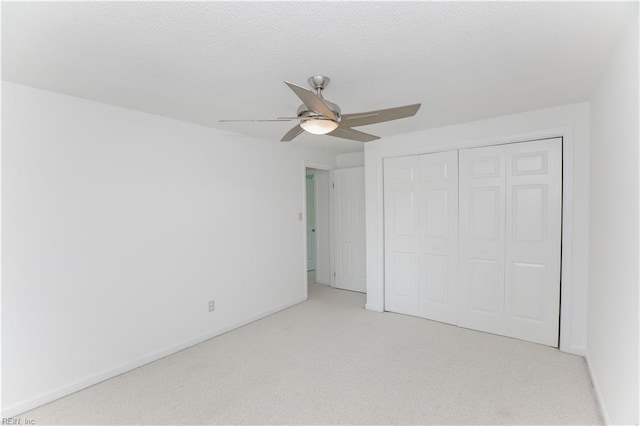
[482,239]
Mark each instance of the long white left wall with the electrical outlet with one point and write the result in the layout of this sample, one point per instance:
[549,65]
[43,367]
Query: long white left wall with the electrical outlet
[119,226]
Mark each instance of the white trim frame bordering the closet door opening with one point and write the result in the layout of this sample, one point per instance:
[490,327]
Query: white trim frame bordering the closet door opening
[375,254]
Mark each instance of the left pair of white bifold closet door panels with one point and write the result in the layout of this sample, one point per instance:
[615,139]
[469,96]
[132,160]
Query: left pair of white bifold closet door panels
[421,235]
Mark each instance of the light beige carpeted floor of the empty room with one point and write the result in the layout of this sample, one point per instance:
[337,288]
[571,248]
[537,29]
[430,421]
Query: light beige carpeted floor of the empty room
[328,361]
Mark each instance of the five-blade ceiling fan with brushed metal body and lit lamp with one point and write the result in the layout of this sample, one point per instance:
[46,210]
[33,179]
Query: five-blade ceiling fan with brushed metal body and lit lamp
[322,117]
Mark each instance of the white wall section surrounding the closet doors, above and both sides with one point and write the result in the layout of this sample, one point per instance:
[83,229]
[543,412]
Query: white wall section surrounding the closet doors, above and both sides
[571,122]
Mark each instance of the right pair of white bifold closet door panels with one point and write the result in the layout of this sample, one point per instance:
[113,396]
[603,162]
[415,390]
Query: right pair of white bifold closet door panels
[510,230]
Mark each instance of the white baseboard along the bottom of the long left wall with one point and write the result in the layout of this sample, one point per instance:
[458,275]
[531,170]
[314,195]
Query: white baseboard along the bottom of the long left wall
[62,391]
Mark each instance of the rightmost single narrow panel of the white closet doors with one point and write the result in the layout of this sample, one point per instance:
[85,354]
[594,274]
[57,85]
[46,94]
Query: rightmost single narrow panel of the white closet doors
[533,233]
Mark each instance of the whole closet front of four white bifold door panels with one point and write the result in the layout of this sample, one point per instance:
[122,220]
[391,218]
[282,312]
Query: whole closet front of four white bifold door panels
[473,237]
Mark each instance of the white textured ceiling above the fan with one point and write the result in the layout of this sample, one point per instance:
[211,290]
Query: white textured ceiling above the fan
[205,61]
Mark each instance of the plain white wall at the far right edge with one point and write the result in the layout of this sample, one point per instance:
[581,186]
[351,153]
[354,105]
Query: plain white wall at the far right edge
[613,228]
